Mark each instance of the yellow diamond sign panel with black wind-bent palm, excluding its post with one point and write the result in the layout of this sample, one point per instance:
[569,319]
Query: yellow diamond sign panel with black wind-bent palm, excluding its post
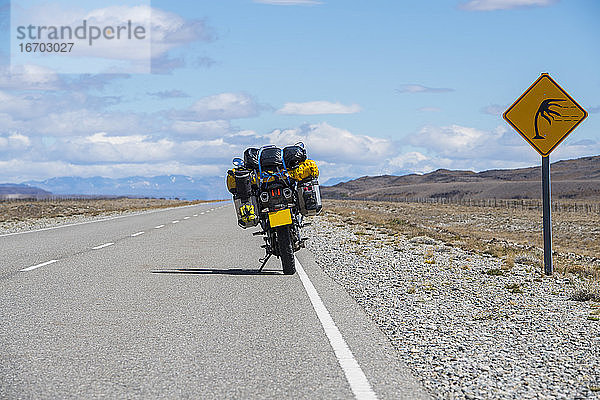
[544,115]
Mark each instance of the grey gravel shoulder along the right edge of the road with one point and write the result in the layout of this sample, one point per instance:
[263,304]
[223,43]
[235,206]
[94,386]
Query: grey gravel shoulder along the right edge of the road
[468,327]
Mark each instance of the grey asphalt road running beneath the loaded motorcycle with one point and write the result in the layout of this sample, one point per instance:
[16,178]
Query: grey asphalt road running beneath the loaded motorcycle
[147,307]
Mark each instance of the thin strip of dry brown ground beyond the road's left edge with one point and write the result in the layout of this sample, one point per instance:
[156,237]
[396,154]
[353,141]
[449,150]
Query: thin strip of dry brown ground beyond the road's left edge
[11,211]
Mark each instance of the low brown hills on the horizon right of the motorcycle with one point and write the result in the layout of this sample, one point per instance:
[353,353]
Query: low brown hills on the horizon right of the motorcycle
[571,179]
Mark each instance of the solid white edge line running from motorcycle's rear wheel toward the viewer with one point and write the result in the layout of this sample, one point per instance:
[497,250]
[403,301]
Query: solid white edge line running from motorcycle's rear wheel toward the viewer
[354,374]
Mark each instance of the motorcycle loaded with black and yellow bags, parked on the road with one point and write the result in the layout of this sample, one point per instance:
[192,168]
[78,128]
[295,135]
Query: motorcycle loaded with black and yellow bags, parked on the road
[276,188]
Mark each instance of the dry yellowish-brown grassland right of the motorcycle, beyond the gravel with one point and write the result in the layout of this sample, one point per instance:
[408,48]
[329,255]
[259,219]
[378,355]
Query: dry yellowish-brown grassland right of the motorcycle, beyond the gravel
[513,235]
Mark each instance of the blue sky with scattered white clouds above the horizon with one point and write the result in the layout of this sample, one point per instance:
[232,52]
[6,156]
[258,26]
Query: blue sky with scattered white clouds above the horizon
[371,88]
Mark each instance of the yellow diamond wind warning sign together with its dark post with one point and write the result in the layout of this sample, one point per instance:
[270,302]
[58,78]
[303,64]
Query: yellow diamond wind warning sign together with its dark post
[544,116]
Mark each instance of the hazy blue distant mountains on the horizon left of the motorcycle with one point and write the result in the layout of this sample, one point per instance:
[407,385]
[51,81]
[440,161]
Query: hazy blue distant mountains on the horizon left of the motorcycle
[167,186]
